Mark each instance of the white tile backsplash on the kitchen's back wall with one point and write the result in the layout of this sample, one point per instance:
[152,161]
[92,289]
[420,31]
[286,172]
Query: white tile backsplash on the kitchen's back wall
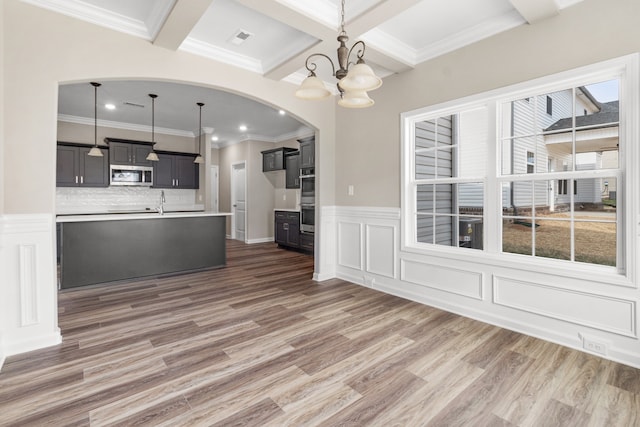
[72,200]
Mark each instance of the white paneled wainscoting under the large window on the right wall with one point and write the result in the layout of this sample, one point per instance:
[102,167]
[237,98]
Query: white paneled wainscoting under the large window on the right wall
[362,245]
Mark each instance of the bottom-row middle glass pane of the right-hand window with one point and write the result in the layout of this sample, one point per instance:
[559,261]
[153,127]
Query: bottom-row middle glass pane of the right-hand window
[553,238]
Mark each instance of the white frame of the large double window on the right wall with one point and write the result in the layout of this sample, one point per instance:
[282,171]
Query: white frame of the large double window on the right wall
[626,69]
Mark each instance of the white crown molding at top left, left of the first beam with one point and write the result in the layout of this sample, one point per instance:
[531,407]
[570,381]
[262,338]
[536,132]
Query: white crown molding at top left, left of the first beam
[99,16]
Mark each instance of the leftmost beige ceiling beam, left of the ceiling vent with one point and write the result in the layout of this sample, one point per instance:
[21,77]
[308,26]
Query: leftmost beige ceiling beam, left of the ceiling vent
[180,21]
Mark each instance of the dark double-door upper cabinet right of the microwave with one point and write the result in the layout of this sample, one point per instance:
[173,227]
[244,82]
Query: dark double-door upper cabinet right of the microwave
[175,170]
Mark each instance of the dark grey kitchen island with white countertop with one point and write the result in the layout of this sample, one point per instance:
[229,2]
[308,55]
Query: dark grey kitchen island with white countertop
[107,248]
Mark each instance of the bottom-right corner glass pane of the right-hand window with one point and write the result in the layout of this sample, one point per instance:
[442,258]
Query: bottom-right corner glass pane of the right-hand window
[595,242]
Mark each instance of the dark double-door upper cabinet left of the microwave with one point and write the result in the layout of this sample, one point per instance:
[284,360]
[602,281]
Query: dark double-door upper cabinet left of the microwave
[75,168]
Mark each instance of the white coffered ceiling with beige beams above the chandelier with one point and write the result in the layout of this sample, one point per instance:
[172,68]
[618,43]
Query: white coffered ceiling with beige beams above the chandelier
[274,37]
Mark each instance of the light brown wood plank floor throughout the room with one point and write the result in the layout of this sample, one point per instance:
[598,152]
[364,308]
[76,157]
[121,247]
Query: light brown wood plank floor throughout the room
[260,344]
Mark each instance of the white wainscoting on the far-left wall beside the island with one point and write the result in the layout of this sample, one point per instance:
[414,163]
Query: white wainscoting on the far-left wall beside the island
[28,313]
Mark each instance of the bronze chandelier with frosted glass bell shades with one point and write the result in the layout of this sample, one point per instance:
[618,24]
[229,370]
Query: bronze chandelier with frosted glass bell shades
[353,82]
